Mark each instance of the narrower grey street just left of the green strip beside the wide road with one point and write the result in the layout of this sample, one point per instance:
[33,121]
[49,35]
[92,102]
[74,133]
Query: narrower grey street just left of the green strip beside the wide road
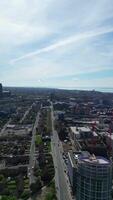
[32,153]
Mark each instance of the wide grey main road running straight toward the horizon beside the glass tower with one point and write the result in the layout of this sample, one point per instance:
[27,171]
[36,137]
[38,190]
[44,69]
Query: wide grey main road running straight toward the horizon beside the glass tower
[63,192]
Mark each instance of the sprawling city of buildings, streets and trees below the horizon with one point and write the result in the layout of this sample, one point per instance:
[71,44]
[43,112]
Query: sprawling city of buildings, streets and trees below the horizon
[55,144]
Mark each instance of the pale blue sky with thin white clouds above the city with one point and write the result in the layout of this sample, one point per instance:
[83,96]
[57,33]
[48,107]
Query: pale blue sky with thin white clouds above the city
[56,43]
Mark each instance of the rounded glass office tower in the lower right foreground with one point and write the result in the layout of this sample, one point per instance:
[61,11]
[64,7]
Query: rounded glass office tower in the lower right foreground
[94,180]
